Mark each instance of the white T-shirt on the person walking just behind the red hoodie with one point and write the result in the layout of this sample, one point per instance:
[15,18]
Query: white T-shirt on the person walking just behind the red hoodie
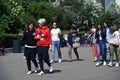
[55,34]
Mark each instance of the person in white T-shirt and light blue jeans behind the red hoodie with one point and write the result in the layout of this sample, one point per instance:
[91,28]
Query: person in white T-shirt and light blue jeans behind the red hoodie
[55,34]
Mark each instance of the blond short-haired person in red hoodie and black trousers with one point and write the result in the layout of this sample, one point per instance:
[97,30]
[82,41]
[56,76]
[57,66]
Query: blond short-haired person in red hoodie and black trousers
[43,37]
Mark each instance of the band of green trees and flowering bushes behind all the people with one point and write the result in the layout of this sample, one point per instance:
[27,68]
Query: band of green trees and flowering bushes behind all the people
[15,14]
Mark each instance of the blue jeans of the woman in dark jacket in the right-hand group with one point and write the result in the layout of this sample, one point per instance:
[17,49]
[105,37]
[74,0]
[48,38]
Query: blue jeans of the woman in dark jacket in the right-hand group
[101,46]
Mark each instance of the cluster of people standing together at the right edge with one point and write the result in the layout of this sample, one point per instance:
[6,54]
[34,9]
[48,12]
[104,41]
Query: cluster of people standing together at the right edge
[106,39]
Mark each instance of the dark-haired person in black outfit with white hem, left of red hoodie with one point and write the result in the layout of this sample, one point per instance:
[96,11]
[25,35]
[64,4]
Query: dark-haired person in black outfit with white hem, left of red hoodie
[30,47]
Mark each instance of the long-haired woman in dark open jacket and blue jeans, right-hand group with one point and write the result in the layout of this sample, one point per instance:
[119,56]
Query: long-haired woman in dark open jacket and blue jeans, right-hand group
[100,36]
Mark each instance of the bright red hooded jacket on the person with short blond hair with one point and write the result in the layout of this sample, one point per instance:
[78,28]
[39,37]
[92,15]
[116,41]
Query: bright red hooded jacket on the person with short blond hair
[45,36]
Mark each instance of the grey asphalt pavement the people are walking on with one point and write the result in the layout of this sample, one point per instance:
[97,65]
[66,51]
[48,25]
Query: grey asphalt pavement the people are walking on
[13,67]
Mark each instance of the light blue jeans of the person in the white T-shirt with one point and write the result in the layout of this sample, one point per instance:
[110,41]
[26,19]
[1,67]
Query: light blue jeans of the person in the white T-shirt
[55,44]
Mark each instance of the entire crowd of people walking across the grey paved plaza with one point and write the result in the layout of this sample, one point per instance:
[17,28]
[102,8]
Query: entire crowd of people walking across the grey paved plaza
[41,41]
